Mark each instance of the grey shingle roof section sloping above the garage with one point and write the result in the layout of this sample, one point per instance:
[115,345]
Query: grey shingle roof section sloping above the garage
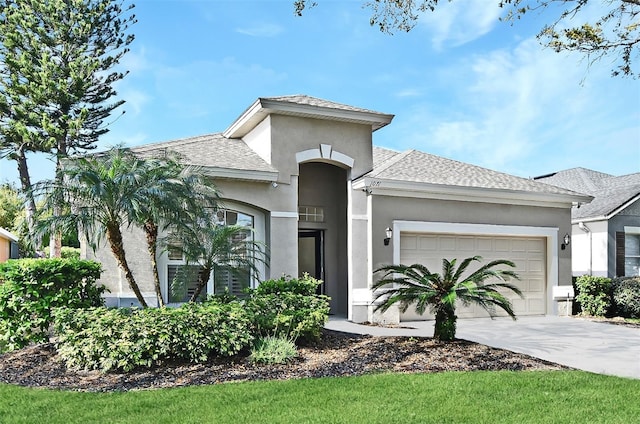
[420,167]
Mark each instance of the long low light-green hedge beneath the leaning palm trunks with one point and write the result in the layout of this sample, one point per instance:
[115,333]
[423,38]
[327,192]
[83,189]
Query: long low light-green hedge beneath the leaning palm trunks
[124,339]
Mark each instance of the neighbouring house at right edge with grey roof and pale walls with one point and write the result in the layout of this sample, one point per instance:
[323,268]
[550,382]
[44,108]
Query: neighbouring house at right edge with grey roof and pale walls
[606,232]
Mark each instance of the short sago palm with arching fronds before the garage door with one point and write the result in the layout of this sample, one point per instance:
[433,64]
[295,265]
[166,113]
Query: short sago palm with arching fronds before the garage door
[415,284]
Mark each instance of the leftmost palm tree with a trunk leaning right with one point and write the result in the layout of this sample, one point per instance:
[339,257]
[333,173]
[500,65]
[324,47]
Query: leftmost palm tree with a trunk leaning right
[107,193]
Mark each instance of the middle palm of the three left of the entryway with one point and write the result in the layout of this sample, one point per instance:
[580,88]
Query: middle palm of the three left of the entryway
[174,193]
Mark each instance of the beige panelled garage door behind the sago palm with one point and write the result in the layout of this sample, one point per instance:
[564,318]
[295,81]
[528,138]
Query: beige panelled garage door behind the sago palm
[528,254]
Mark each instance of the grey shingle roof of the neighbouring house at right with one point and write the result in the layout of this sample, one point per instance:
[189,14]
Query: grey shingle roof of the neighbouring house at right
[609,192]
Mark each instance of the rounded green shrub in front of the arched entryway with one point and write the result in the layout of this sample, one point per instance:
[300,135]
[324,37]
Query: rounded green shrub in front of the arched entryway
[288,310]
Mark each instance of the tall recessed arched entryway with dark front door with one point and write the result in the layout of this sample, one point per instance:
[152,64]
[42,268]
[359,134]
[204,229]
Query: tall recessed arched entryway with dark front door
[322,229]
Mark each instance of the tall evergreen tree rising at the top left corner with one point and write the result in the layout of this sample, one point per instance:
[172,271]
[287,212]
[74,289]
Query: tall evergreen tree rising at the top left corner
[57,70]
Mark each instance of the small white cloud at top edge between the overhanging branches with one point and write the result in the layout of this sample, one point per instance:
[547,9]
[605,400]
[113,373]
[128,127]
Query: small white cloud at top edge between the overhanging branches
[459,22]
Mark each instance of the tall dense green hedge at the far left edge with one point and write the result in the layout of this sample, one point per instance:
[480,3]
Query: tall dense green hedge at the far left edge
[31,288]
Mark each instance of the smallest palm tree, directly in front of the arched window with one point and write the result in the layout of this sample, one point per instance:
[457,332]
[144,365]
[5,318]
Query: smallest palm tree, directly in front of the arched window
[216,248]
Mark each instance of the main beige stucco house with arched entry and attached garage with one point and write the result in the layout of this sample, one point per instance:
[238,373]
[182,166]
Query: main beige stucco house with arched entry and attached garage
[304,174]
